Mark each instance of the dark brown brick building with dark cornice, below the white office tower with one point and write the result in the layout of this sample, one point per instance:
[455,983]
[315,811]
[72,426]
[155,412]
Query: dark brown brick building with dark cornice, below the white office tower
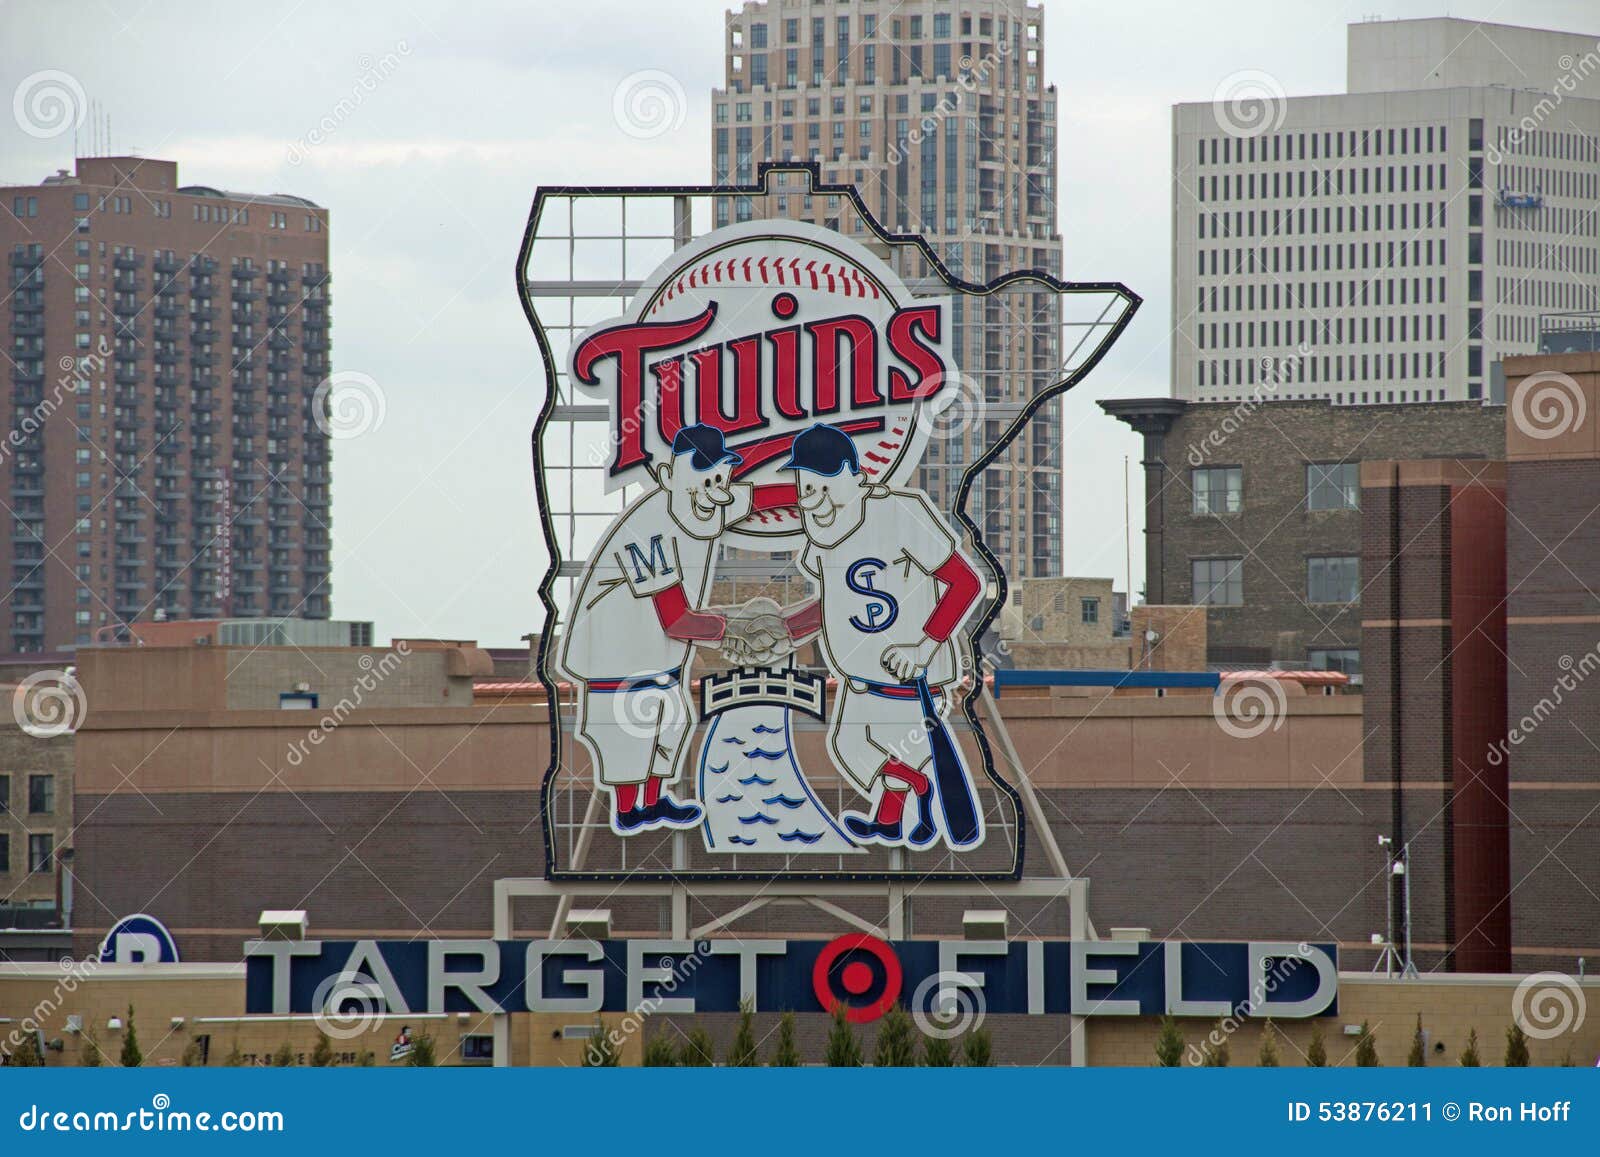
[1254,511]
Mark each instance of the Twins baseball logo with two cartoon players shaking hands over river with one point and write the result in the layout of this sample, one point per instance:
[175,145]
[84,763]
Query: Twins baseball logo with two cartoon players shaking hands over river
[772,391]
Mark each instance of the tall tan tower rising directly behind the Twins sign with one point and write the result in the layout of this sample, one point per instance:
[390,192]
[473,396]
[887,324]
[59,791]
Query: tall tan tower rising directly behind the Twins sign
[938,113]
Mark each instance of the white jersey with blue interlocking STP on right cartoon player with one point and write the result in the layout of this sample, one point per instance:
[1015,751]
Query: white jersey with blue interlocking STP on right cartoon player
[878,587]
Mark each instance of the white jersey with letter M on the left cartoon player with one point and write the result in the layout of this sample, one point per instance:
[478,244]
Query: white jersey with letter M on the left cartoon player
[614,630]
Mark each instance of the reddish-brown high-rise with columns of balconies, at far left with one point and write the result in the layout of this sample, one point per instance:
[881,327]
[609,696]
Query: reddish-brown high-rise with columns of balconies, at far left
[164,462]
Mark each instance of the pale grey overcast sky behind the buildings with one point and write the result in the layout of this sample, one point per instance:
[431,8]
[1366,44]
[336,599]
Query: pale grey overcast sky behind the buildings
[430,183]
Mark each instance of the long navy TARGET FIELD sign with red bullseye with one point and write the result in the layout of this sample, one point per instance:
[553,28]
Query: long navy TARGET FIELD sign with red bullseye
[865,974]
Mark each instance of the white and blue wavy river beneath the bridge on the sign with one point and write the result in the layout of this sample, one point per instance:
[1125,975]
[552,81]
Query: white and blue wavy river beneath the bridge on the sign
[754,793]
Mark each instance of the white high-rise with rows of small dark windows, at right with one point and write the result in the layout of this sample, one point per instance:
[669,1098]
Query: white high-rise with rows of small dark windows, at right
[1391,244]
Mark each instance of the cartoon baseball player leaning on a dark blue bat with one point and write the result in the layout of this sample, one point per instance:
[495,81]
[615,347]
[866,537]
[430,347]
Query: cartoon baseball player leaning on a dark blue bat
[894,591]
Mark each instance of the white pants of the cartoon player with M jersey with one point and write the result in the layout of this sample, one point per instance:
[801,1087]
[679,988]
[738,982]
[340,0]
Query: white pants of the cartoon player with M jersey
[636,734]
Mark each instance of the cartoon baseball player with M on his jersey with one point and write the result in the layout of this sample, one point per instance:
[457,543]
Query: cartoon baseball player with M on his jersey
[639,609]
